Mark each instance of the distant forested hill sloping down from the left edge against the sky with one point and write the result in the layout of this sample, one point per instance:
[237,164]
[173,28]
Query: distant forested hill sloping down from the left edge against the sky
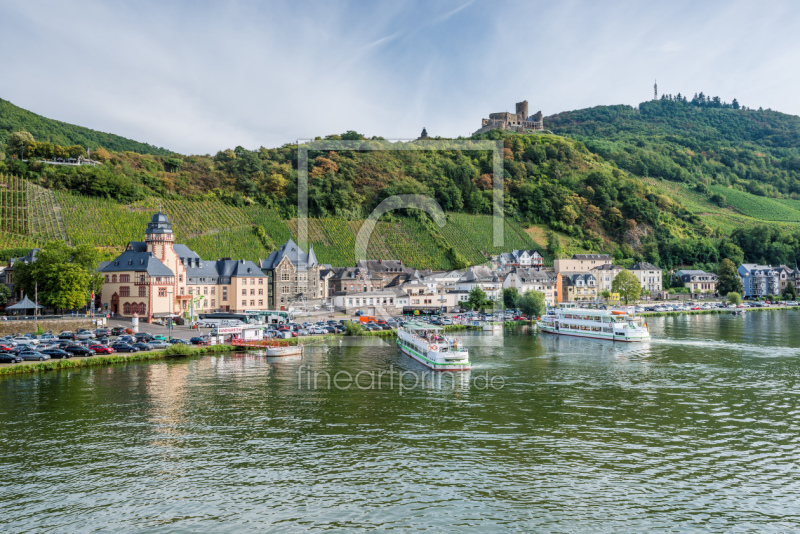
[13,119]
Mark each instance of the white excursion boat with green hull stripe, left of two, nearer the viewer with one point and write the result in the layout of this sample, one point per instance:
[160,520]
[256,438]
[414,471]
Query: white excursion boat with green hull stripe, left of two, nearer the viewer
[429,346]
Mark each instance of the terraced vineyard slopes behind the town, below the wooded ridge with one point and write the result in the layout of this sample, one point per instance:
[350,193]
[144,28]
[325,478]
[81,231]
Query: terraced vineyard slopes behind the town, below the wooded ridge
[33,215]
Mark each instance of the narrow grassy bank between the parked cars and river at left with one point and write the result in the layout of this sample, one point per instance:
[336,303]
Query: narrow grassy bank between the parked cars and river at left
[72,363]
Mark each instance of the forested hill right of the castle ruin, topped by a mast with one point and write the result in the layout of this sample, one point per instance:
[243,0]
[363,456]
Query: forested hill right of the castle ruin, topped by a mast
[694,141]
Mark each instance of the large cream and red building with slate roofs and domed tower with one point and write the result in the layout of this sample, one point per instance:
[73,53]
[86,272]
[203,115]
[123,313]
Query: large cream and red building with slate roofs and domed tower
[157,277]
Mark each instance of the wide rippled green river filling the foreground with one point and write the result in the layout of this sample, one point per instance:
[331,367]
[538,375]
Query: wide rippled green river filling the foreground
[696,430]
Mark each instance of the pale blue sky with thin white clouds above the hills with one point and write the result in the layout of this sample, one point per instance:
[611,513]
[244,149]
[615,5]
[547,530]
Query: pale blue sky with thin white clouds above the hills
[197,77]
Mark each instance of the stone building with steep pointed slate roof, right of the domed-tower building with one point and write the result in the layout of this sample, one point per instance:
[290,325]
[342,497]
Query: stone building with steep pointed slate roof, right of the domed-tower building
[294,276]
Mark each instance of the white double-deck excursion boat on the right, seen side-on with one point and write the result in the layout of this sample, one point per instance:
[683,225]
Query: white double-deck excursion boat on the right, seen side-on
[614,325]
